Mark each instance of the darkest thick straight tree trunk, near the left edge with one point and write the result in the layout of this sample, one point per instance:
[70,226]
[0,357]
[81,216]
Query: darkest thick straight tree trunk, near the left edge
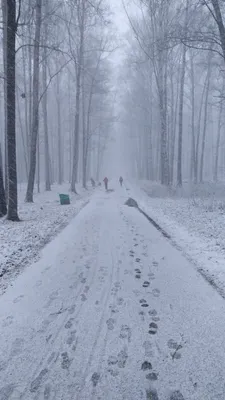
[11,110]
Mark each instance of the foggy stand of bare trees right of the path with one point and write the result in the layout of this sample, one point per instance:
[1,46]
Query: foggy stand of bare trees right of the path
[174,98]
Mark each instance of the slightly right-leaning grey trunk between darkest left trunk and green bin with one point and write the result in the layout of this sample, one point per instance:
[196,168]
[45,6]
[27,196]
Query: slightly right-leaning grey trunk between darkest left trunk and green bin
[35,108]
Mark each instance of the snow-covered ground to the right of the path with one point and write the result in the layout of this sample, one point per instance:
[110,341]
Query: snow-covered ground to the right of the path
[195,218]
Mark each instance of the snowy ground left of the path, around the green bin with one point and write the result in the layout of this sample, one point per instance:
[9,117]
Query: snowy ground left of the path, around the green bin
[20,243]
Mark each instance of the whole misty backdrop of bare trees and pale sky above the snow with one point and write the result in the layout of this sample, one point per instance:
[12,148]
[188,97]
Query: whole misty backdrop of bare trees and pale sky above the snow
[133,88]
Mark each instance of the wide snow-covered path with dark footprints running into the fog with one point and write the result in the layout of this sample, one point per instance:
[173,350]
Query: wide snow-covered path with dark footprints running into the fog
[111,312]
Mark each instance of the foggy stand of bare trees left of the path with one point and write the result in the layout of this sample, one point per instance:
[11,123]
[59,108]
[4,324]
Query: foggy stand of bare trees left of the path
[56,111]
